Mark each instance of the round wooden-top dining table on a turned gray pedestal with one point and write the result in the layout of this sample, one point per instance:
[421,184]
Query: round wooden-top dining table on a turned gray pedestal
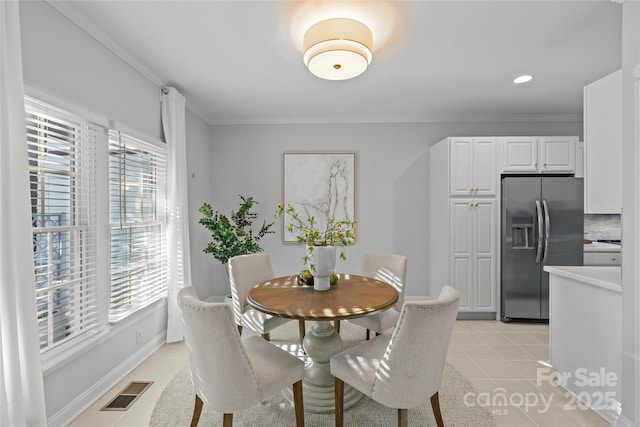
[353,296]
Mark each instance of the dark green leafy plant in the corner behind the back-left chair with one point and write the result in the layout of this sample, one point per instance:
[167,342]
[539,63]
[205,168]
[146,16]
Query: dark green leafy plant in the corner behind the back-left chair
[233,235]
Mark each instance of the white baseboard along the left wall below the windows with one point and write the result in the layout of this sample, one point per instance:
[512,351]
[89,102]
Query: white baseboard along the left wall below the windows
[86,399]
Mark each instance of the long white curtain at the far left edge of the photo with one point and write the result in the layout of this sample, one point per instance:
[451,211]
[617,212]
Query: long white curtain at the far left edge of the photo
[21,383]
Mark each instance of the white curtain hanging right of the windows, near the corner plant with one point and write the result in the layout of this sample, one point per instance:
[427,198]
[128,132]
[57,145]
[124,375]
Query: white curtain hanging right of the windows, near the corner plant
[179,268]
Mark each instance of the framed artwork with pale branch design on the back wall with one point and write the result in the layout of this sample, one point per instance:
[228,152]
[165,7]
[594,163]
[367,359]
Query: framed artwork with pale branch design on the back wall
[319,184]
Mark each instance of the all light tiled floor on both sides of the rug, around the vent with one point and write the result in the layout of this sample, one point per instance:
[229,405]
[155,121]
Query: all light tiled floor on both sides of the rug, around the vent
[501,360]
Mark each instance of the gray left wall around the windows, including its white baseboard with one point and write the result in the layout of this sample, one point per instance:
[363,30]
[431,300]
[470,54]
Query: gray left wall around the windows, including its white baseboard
[64,62]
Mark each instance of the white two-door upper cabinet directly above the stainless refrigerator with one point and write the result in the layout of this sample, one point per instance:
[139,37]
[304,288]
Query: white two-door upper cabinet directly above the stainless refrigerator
[552,154]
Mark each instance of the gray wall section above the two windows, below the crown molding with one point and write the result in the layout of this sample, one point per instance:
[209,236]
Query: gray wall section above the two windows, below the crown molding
[63,59]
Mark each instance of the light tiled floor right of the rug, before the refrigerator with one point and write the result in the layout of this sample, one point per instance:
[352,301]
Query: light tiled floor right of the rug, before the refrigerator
[506,360]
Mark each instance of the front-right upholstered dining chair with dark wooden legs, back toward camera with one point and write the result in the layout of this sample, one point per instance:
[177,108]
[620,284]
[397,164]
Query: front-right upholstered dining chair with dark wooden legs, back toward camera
[403,370]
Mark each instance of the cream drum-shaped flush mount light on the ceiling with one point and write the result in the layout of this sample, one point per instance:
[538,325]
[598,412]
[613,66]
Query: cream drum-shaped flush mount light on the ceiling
[338,48]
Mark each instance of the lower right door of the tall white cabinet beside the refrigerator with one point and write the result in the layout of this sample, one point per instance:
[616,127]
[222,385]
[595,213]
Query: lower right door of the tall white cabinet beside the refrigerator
[484,257]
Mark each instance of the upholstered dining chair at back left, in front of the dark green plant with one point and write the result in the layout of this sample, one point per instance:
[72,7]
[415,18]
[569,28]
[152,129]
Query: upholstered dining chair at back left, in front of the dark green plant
[246,271]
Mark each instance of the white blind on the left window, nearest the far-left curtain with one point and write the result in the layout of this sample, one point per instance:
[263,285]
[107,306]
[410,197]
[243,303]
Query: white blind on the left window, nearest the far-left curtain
[62,176]
